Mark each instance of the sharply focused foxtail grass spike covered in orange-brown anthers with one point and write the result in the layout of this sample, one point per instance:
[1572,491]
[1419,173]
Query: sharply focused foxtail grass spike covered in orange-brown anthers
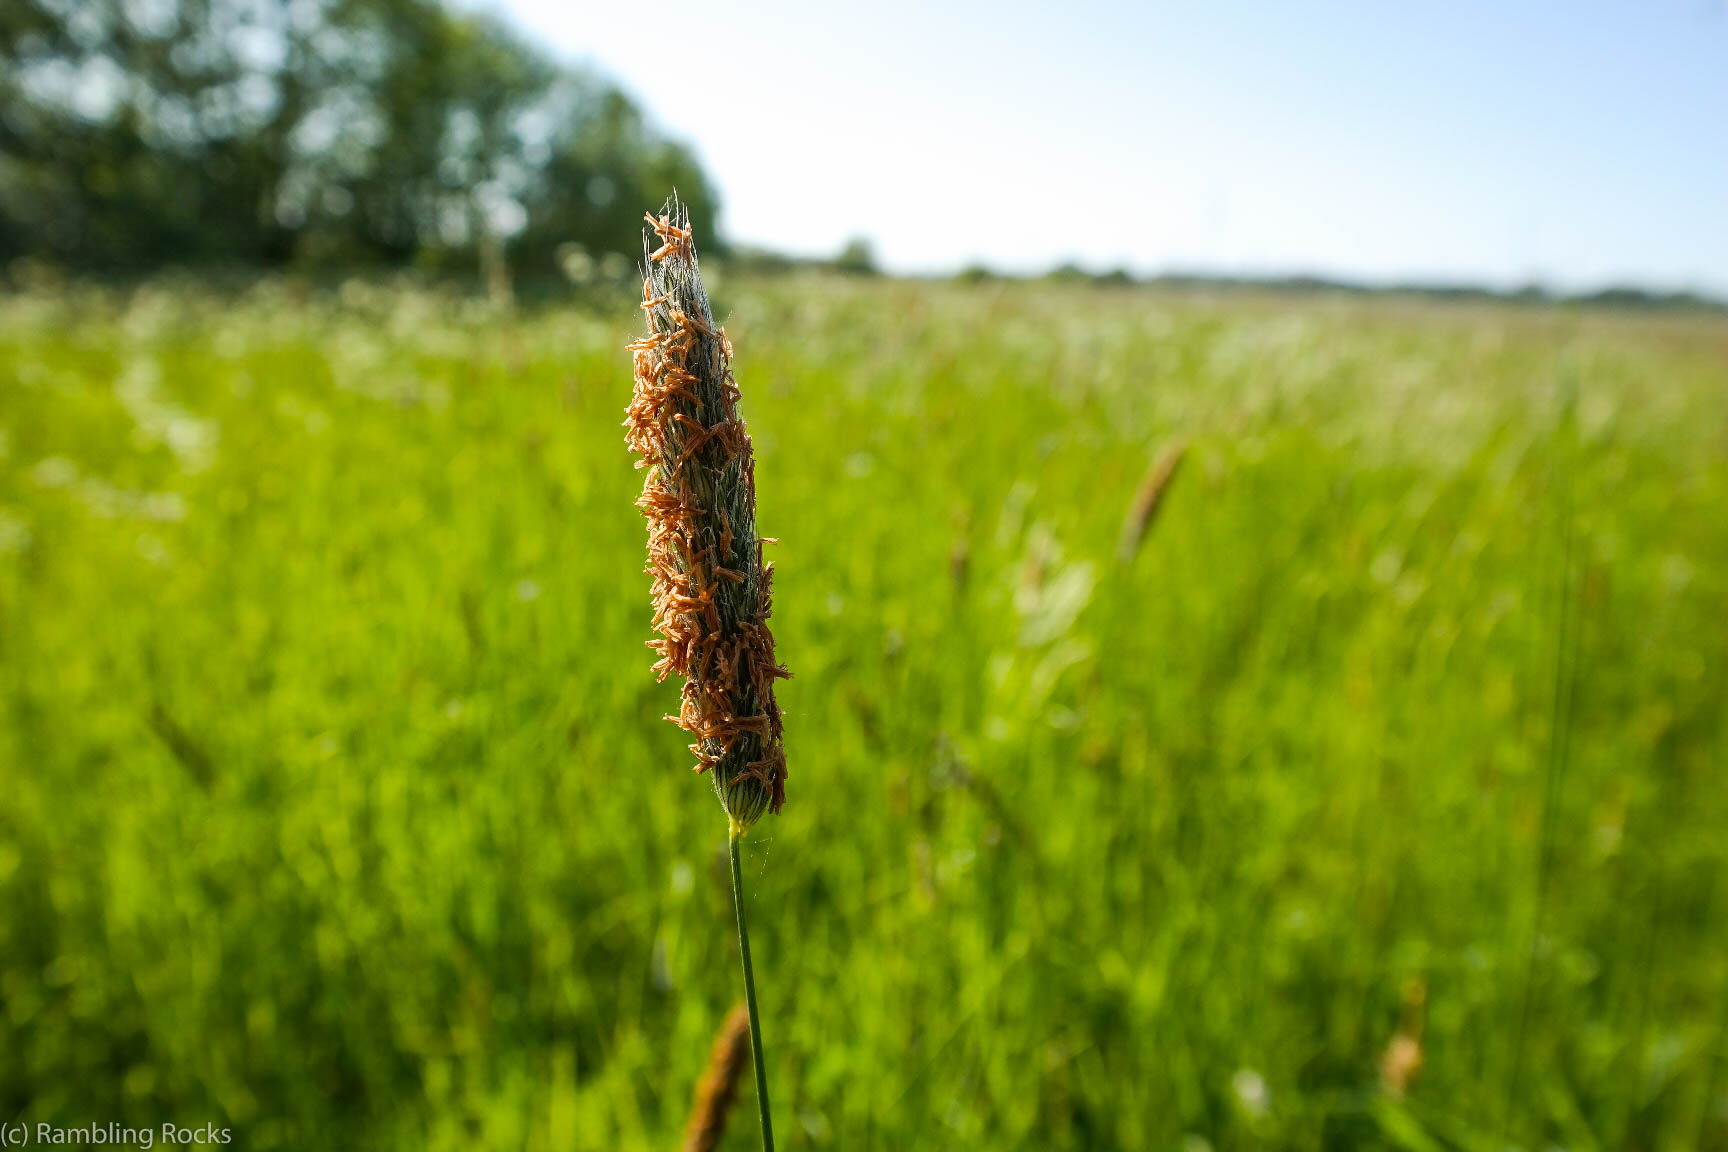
[711,581]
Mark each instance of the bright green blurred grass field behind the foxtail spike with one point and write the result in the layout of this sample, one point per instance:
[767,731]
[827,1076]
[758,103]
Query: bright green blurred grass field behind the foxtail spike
[338,807]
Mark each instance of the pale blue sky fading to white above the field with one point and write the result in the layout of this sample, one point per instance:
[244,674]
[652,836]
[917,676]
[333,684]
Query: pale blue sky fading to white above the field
[1575,144]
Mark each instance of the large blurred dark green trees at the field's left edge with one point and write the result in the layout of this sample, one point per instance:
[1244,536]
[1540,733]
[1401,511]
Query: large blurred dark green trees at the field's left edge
[255,132]
